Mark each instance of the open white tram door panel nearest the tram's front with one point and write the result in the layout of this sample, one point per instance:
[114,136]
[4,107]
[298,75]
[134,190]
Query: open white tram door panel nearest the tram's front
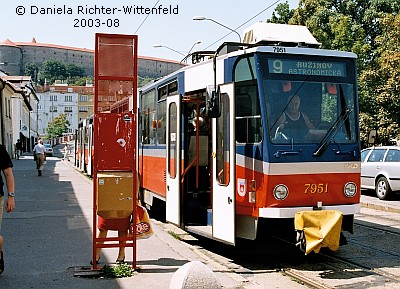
[223,168]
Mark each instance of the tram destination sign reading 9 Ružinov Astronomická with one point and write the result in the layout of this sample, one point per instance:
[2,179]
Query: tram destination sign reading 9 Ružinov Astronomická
[307,67]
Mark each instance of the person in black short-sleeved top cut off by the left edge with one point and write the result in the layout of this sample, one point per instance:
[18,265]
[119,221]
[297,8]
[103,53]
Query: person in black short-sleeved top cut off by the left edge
[6,167]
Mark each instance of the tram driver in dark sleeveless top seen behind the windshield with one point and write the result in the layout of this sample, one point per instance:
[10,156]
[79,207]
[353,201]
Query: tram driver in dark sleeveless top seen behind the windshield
[293,123]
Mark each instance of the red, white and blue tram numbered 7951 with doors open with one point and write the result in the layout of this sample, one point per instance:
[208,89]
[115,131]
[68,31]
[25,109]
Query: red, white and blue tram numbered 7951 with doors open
[213,148]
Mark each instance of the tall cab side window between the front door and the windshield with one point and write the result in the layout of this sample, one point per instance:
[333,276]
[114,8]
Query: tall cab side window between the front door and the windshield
[248,113]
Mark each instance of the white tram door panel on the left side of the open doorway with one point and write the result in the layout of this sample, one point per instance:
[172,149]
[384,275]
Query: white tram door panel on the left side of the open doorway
[173,173]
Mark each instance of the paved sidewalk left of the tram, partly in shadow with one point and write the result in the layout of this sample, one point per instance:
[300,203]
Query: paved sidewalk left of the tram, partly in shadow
[49,236]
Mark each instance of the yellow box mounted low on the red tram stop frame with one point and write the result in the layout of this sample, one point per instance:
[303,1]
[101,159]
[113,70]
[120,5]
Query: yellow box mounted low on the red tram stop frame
[114,194]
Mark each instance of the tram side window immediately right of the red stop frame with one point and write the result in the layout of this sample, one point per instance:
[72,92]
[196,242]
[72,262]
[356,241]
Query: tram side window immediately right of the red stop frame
[148,120]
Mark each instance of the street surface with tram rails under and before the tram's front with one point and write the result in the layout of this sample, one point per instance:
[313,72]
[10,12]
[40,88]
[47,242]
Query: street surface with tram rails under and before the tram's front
[367,260]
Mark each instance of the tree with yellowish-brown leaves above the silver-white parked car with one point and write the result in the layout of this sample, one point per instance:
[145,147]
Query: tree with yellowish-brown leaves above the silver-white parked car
[379,85]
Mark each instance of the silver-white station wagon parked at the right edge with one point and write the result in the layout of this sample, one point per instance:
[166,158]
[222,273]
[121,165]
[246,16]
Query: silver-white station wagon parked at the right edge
[380,170]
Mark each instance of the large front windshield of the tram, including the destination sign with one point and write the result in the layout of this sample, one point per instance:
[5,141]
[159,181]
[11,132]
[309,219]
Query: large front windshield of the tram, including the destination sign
[309,100]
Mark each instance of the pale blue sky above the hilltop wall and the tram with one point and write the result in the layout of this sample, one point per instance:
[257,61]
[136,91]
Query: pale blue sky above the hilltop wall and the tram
[75,22]
